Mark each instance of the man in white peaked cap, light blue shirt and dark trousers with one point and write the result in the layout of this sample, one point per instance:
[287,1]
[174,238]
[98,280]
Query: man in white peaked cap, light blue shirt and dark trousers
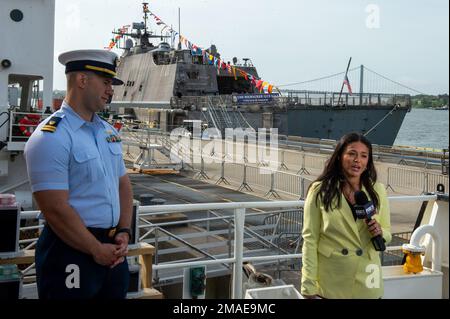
[79,181]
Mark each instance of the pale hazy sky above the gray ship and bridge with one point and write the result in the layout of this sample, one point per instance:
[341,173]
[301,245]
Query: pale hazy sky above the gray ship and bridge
[288,41]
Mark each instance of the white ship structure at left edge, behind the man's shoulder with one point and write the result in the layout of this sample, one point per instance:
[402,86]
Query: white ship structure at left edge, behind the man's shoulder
[26,69]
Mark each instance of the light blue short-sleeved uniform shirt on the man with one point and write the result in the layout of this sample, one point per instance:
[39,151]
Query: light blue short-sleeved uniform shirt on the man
[82,158]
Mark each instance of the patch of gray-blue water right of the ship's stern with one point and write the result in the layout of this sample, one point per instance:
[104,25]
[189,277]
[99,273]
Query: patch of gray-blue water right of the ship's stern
[424,128]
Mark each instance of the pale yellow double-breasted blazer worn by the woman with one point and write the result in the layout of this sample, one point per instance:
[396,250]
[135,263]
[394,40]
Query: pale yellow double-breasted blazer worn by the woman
[339,260]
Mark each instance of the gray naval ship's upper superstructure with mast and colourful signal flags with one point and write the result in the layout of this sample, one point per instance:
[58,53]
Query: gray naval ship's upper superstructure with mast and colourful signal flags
[160,72]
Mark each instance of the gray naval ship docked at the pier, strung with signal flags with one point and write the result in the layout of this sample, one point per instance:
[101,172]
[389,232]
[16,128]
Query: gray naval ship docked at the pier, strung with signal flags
[167,87]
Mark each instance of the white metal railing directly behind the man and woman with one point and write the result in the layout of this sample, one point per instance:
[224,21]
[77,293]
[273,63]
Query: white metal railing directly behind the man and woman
[238,219]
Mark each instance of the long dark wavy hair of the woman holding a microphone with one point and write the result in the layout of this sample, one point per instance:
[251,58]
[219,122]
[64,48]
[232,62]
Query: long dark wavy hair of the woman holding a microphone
[332,177]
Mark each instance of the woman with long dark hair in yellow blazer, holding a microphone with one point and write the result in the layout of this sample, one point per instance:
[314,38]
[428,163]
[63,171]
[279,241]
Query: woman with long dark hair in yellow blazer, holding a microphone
[339,259]
